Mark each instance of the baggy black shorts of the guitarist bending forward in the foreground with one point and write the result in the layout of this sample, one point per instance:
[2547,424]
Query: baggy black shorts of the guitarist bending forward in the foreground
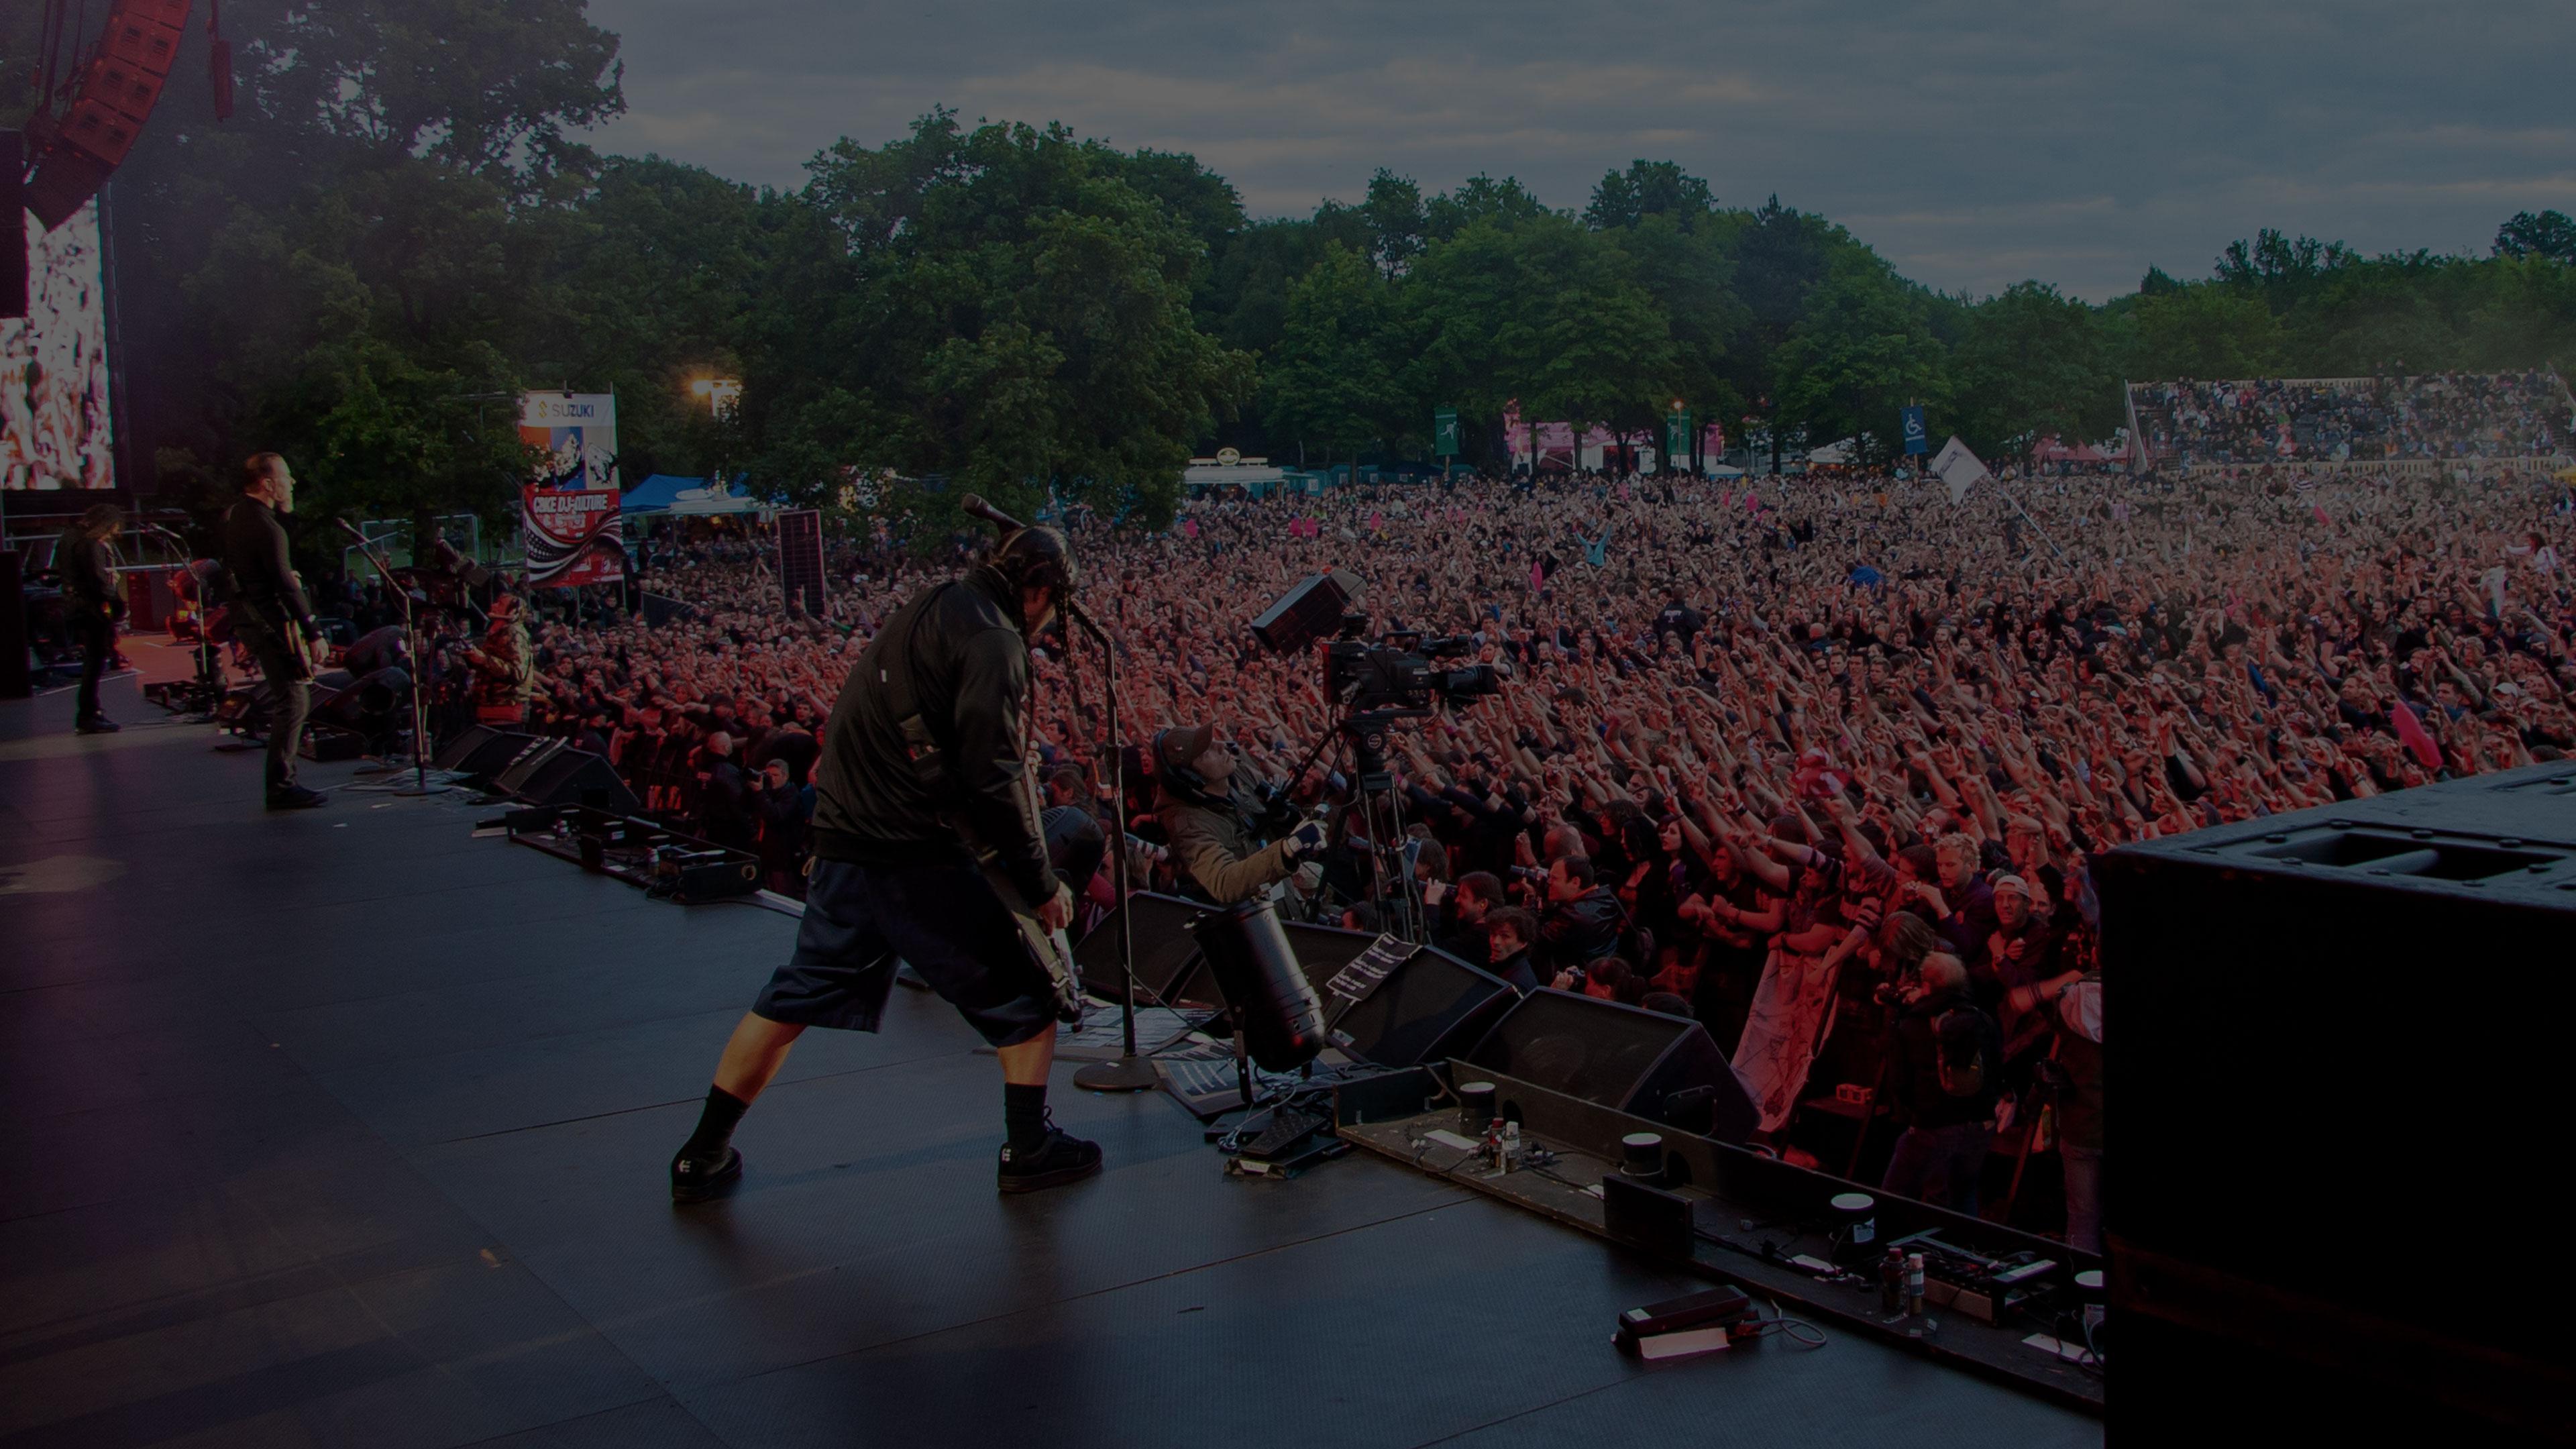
[942,919]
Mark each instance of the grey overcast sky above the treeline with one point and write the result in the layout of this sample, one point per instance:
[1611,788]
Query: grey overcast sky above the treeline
[1975,143]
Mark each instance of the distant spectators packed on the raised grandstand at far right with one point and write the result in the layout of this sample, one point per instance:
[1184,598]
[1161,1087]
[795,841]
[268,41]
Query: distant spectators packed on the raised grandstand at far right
[2379,419]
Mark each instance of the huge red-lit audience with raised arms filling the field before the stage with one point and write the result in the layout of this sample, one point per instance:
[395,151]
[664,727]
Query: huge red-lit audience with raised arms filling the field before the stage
[1817,762]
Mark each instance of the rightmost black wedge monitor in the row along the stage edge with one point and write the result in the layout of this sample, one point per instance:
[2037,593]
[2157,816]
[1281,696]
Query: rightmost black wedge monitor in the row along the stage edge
[1616,1056]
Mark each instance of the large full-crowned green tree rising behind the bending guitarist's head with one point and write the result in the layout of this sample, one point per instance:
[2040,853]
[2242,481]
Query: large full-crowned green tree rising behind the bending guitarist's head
[1011,316]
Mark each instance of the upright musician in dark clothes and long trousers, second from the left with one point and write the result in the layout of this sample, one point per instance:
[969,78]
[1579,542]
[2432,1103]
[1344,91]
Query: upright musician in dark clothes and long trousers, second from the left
[272,618]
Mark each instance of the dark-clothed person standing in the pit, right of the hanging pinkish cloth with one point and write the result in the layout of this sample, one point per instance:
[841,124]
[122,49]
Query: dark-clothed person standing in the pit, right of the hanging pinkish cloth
[1946,1064]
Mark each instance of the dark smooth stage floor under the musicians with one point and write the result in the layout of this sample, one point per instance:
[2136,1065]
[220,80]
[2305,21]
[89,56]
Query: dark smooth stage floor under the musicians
[346,1128]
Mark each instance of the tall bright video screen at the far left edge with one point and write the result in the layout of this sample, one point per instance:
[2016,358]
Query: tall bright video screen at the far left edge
[55,427]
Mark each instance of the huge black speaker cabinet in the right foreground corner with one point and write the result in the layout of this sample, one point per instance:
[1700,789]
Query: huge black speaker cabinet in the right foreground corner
[2335,1089]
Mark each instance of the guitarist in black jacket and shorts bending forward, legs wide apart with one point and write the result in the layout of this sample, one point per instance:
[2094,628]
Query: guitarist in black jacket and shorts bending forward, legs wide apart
[895,873]
